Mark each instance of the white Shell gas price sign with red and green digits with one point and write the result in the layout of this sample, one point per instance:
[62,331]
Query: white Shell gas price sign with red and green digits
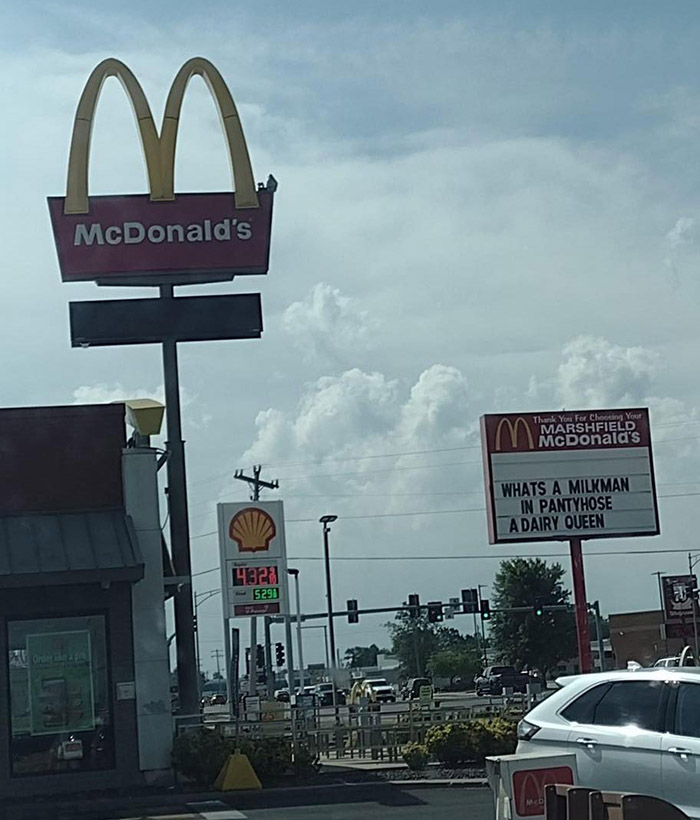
[253,558]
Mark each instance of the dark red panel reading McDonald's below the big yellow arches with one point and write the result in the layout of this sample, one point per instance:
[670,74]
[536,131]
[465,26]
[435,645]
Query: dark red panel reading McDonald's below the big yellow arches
[198,237]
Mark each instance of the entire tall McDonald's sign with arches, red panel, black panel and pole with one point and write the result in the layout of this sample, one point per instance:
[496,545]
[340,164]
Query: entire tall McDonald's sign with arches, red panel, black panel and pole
[164,240]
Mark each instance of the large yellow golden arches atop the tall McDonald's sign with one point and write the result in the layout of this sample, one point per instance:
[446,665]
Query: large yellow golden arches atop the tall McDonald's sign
[158,150]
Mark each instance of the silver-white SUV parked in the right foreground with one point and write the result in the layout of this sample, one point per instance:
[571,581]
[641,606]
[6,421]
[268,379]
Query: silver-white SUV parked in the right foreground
[632,731]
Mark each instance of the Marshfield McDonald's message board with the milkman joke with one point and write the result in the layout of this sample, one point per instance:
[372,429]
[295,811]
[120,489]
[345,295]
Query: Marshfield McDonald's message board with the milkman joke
[569,474]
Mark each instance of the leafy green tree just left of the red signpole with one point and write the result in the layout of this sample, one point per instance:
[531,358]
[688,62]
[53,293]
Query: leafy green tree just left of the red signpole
[522,638]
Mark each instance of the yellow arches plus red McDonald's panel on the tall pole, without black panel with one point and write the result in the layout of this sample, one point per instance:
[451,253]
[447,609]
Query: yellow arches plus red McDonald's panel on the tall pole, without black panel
[160,236]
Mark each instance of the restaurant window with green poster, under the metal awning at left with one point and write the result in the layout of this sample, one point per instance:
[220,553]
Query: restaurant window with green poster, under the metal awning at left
[59,695]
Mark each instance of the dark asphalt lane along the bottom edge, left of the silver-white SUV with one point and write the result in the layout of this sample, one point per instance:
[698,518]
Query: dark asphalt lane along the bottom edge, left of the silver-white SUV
[361,802]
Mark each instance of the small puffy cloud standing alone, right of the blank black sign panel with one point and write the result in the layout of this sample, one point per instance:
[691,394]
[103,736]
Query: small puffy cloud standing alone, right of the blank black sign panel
[326,325]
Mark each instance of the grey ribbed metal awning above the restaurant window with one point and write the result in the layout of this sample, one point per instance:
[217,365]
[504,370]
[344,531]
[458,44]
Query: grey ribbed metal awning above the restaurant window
[70,548]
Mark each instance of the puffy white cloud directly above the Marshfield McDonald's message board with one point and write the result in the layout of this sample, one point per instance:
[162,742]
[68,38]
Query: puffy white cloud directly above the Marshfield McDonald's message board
[597,373]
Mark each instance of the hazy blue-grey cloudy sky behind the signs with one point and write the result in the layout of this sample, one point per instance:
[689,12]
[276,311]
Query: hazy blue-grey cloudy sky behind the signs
[482,207]
